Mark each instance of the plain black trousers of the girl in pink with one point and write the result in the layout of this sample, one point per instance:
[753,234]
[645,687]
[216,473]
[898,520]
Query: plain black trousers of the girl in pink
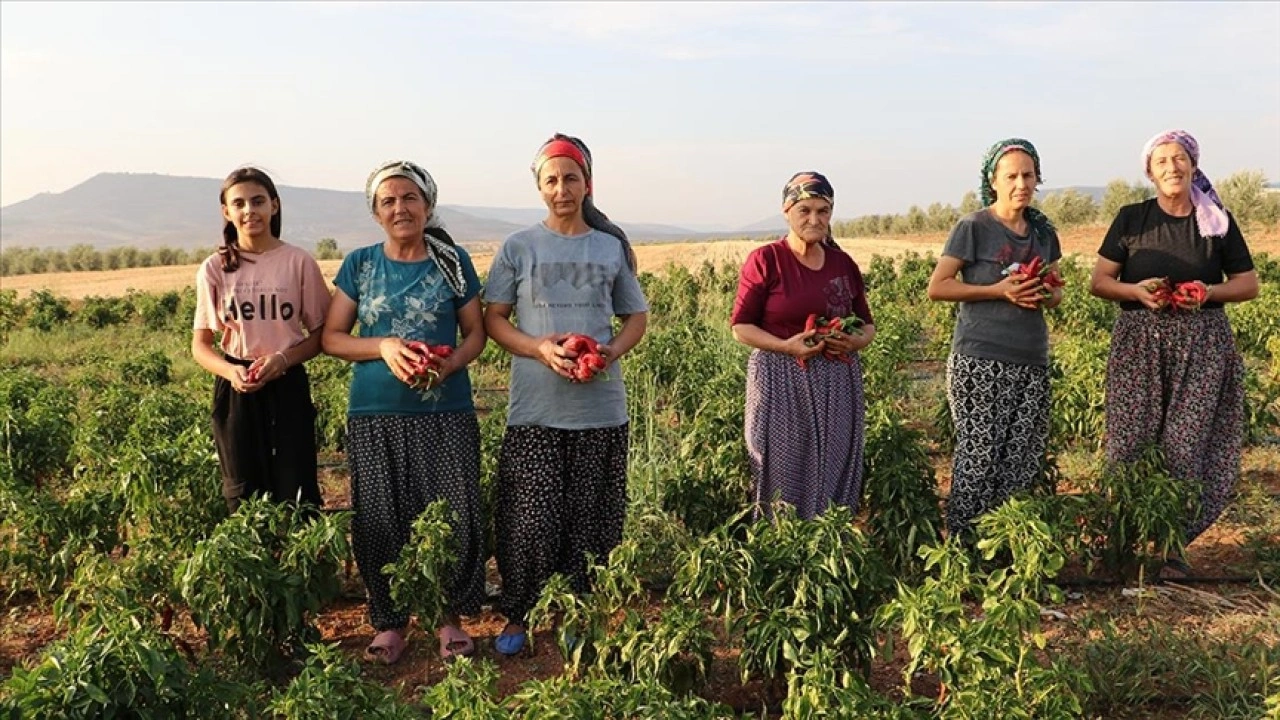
[267,440]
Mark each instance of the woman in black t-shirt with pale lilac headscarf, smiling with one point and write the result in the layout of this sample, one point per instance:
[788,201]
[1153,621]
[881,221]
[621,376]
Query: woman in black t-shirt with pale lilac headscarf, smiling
[1165,262]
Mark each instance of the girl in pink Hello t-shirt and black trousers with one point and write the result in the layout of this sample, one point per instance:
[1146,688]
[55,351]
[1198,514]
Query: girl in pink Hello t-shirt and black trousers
[269,300]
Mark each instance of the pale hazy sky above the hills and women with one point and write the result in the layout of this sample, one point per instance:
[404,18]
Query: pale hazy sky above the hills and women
[697,113]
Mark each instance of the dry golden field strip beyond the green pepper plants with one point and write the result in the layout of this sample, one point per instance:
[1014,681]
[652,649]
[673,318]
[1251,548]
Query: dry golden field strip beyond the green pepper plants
[653,258]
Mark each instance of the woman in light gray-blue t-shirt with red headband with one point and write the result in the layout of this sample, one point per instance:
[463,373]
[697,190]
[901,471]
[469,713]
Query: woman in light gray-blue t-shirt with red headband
[563,470]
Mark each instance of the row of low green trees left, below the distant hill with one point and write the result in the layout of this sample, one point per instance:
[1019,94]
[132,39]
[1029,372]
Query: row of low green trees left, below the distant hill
[34,261]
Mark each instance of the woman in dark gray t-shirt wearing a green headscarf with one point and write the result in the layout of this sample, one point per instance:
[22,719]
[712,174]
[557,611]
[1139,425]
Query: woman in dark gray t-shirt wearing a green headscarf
[998,371]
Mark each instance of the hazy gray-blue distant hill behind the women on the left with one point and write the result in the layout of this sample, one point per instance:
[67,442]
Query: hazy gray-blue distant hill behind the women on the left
[153,211]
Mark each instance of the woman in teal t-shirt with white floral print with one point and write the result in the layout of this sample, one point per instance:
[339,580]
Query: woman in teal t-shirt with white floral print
[413,438]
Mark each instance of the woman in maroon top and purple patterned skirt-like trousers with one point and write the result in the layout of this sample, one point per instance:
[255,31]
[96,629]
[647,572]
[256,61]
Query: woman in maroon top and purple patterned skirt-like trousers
[804,386]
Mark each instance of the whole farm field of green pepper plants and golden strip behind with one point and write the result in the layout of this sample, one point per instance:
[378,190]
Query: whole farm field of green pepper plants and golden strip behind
[112,521]
